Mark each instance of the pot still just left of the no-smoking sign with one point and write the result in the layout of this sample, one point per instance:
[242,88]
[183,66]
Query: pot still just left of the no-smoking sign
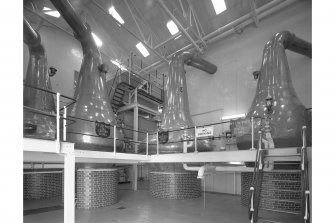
[176,114]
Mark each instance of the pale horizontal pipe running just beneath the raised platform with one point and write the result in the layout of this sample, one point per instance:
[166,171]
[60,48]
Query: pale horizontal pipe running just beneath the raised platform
[208,168]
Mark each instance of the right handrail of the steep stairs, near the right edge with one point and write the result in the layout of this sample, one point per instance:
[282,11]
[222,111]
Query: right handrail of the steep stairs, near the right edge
[305,194]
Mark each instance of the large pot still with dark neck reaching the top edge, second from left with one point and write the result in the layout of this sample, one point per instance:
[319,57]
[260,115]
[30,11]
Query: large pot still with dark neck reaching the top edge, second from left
[91,92]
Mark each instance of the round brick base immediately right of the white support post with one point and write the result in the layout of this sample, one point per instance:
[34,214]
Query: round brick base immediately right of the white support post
[96,188]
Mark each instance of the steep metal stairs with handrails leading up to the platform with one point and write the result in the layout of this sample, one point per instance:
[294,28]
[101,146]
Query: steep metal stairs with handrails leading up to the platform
[264,195]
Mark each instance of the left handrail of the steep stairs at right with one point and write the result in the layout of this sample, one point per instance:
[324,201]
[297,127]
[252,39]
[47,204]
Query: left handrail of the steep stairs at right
[255,187]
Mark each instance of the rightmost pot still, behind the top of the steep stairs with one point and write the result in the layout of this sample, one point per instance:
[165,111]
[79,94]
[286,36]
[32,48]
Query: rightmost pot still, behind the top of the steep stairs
[276,109]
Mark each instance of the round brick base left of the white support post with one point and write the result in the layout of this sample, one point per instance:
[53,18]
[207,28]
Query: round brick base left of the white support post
[42,185]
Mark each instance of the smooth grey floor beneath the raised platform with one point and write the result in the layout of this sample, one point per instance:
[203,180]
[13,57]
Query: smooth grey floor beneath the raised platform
[140,207]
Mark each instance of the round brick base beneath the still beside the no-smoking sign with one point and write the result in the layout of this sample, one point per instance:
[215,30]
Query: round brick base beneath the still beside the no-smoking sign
[174,185]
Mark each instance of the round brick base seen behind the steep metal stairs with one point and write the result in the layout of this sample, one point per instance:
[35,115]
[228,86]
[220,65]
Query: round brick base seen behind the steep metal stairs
[280,191]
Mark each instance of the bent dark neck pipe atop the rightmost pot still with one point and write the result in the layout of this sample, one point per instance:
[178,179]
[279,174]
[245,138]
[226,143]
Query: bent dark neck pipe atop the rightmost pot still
[293,43]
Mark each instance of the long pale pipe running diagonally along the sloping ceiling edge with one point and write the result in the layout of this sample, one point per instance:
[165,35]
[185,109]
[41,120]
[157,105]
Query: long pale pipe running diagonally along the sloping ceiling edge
[227,30]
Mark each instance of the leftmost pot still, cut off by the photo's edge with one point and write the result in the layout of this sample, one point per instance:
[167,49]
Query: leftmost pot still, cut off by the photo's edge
[37,125]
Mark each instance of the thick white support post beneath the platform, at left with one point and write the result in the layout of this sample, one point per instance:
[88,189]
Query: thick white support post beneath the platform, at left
[69,187]
